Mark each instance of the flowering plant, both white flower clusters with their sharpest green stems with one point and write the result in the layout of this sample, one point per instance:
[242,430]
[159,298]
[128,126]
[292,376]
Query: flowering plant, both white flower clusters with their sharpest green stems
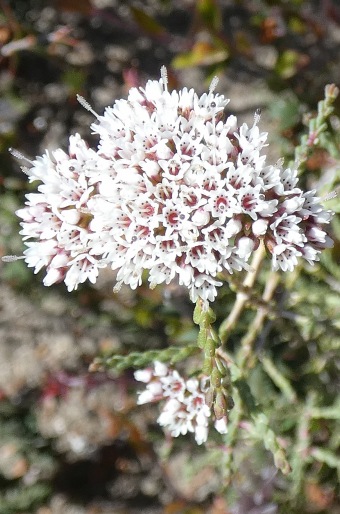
[180,191]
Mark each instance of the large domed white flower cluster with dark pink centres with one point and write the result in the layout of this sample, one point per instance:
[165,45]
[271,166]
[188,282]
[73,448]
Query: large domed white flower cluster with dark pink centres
[174,188]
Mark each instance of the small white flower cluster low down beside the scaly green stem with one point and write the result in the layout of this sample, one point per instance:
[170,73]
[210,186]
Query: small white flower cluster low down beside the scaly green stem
[185,409]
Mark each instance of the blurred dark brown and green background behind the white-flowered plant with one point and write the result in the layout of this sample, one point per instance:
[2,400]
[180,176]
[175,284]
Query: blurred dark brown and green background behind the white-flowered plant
[71,441]
